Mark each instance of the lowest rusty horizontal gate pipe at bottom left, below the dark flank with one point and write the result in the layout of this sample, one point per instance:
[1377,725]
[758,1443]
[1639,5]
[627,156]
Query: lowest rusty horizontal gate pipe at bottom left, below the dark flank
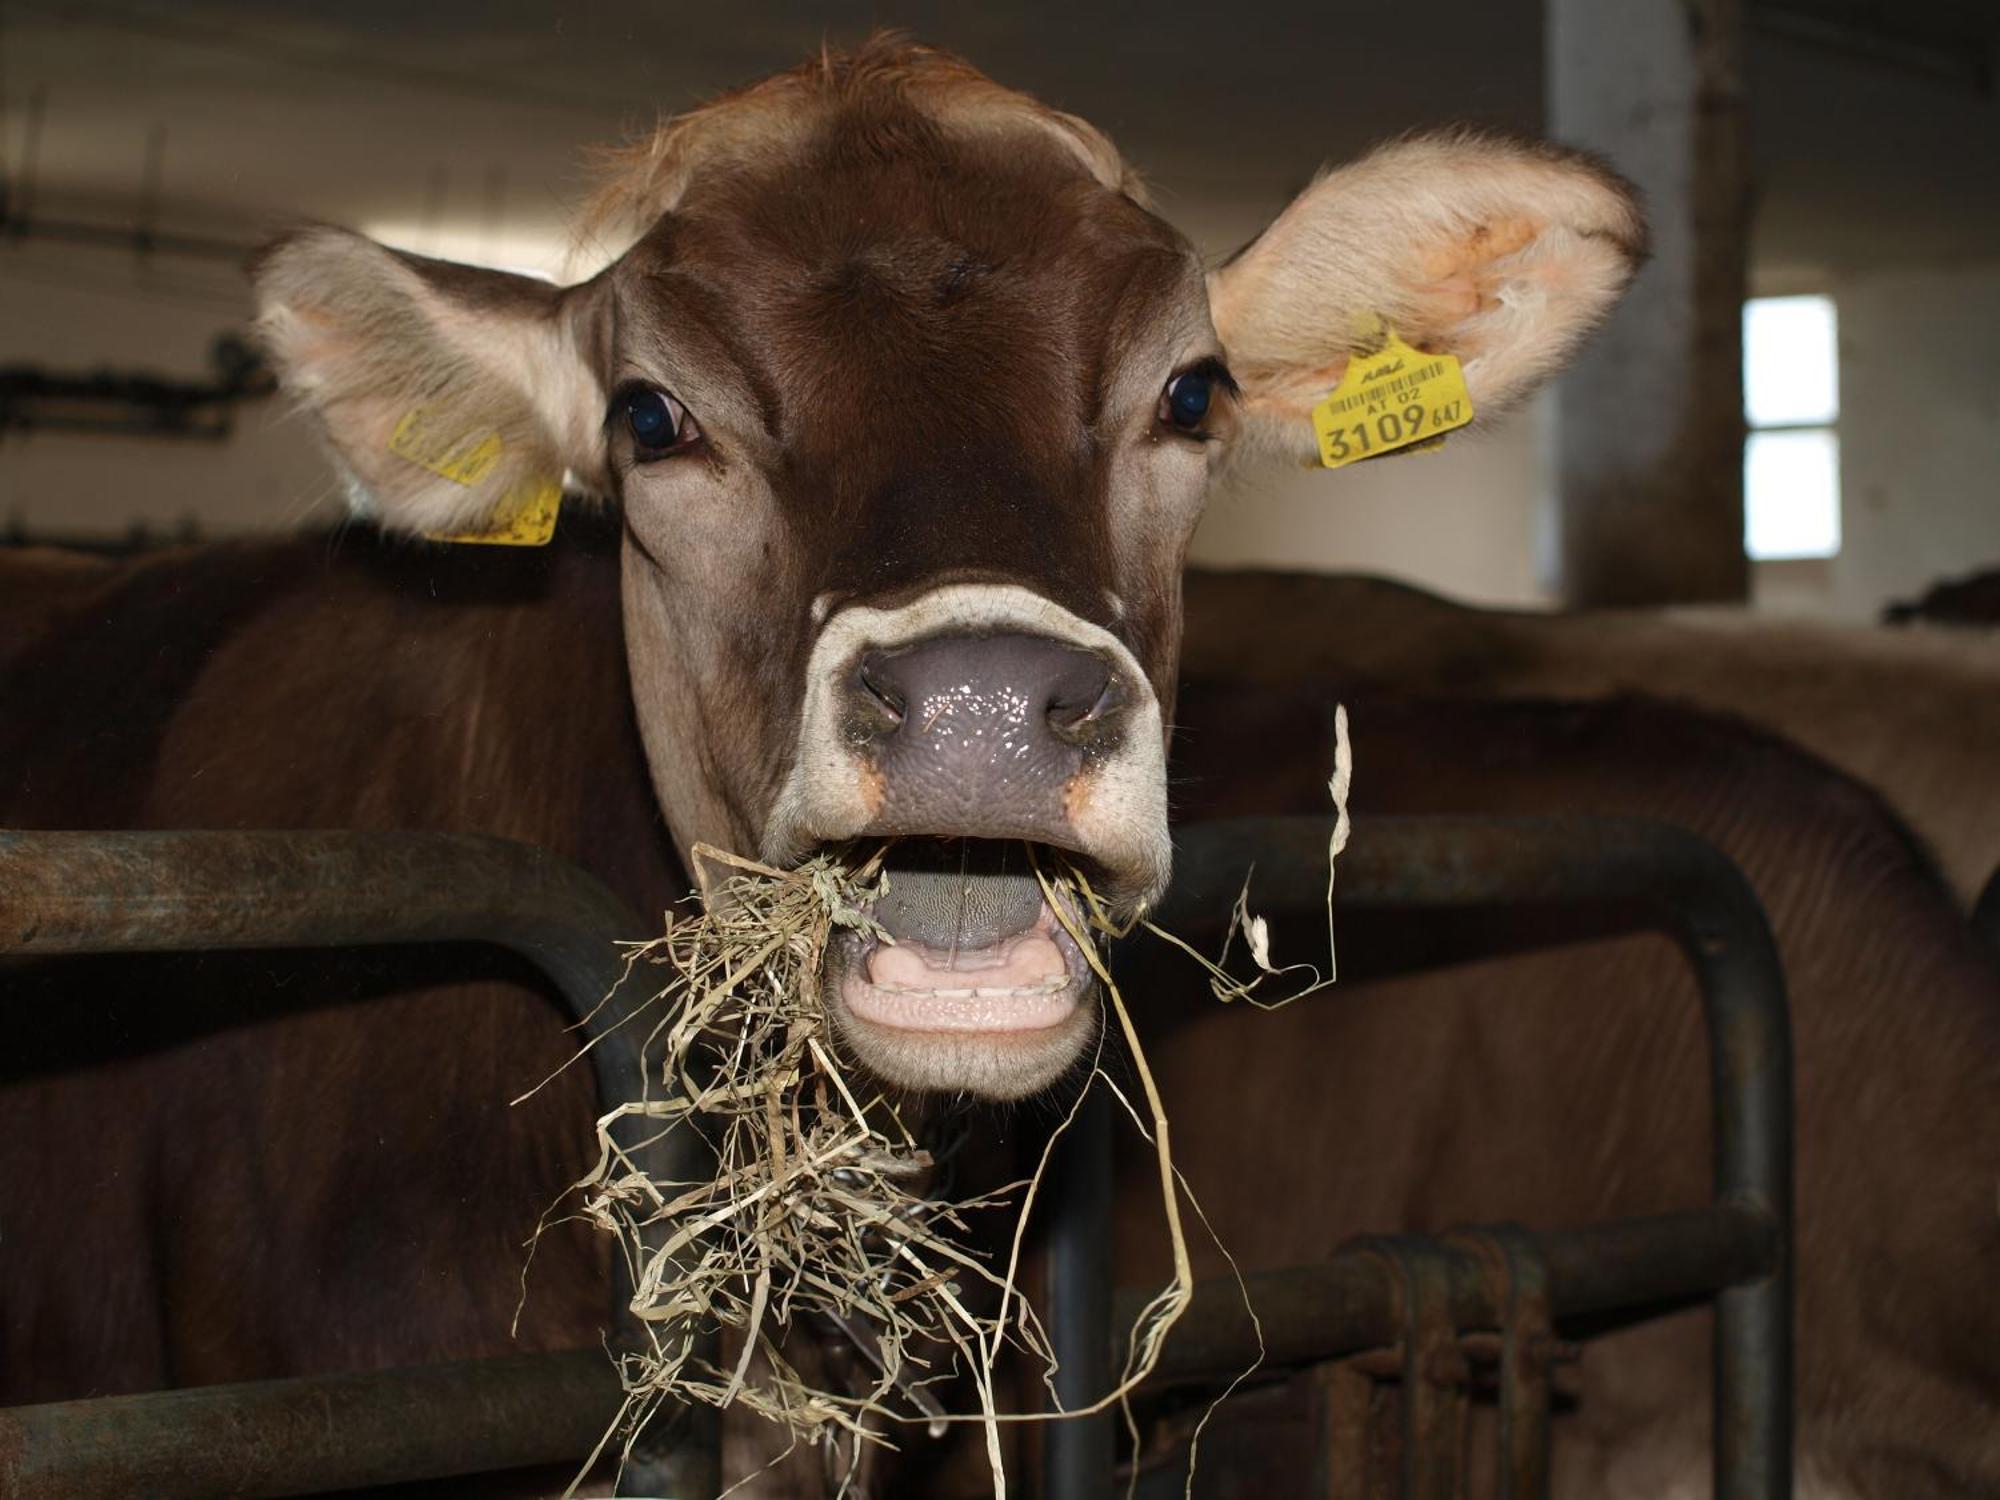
[313,1435]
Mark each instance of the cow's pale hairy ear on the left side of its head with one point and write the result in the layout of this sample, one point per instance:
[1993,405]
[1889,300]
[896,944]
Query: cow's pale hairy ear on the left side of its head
[447,391]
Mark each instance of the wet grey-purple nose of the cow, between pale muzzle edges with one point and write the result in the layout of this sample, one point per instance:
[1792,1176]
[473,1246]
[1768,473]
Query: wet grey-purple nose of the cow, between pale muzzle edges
[983,735]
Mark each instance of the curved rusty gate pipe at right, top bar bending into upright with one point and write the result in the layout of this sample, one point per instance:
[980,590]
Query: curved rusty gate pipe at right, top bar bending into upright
[1595,877]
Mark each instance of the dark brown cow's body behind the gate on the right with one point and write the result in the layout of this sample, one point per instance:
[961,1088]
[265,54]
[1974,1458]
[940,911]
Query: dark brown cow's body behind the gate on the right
[1573,1087]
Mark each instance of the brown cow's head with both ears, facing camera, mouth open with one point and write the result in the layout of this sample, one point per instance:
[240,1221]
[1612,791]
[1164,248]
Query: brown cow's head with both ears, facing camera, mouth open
[911,407]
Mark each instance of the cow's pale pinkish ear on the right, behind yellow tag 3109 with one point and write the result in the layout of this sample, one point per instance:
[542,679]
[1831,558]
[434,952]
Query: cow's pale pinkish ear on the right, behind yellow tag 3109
[1499,253]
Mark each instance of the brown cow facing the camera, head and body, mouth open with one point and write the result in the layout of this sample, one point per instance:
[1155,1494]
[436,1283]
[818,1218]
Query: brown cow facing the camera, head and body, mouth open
[907,405]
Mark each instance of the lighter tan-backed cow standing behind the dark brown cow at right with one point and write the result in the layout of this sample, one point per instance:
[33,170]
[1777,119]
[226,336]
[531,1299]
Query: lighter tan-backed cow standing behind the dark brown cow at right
[1911,713]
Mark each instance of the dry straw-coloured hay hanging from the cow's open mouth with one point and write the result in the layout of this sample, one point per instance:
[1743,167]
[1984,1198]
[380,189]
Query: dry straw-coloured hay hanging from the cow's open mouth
[819,1199]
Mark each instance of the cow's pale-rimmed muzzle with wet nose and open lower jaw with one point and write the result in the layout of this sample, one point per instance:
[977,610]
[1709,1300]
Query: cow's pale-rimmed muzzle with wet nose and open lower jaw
[993,737]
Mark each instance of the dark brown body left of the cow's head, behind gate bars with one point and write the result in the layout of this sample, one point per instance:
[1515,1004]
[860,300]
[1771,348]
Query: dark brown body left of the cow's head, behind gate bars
[275,1165]
